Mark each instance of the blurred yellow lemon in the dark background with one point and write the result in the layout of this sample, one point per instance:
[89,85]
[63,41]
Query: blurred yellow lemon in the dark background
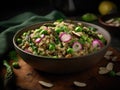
[107,7]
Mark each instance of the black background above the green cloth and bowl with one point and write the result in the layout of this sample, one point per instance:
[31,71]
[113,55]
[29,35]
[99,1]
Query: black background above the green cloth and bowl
[9,8]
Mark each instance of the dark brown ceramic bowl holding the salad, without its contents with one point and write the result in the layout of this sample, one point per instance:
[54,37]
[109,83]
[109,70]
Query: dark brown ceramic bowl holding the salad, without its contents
[62,65]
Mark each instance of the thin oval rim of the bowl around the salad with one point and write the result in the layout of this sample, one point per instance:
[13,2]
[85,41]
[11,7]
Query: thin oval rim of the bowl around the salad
[46,57]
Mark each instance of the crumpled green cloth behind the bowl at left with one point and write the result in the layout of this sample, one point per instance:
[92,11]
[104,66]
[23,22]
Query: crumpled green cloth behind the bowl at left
[20,21]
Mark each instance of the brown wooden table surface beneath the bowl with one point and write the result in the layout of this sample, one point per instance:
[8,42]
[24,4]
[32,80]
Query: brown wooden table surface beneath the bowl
[27,78]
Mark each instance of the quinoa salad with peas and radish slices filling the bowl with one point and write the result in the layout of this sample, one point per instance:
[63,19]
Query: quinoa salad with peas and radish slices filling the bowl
[61,39]
